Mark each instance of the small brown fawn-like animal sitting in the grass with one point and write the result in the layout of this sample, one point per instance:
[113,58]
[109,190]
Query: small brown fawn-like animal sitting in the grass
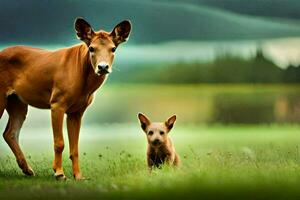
[160,148]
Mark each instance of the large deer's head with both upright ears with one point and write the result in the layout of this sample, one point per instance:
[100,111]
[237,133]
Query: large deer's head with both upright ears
[102,45]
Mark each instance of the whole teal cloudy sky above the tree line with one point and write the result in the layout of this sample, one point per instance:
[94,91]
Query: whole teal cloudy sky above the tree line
[201,27]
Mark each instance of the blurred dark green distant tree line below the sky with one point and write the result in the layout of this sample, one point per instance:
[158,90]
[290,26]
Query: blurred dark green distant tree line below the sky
[225,69]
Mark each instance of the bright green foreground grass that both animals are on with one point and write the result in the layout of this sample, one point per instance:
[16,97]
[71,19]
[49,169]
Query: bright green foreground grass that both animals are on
[224,162]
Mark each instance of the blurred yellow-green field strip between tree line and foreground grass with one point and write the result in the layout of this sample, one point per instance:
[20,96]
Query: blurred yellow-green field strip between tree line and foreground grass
[198,104]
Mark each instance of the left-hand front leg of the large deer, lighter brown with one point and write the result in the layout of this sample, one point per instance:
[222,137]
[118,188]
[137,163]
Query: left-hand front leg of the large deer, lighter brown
[57,116]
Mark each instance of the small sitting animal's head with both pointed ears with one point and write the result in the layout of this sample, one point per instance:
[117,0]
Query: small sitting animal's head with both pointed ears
[156,132]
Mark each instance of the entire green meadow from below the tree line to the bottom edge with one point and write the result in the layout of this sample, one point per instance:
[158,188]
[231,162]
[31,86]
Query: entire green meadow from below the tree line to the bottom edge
[223,157]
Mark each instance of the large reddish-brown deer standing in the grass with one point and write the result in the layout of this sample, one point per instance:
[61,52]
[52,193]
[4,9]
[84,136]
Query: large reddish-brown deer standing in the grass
[63,81]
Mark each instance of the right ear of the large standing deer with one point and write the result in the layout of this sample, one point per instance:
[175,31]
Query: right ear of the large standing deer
[121,32]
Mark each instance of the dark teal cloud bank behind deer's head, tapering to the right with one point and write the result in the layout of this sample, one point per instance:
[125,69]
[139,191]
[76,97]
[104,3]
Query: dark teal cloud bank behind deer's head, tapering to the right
[51,21]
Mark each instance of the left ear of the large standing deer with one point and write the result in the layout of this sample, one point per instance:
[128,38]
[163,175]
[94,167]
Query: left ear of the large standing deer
[84,30]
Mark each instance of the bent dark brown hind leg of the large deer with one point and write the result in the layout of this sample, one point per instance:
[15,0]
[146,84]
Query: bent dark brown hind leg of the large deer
[17,112]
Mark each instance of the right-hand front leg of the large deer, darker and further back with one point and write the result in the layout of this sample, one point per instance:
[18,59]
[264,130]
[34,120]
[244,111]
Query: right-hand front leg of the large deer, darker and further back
[73,124]
